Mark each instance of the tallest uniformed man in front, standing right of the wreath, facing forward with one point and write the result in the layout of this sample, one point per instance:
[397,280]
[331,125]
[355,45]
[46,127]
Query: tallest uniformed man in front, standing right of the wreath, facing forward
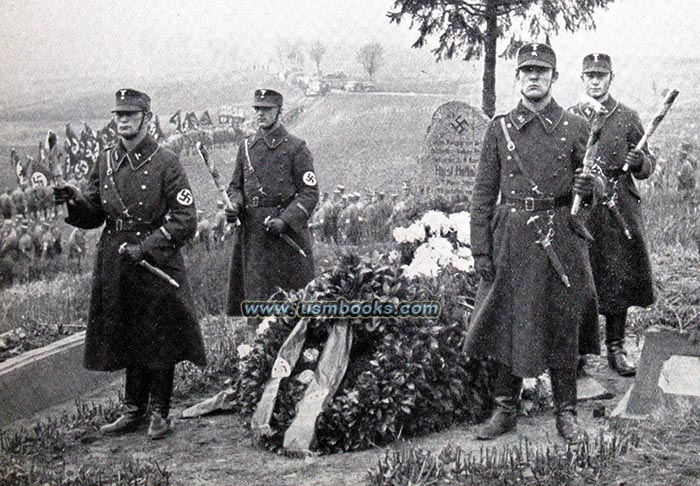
[536,288]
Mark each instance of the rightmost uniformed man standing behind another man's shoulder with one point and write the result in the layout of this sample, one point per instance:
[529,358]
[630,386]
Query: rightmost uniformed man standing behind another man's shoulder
[619,255]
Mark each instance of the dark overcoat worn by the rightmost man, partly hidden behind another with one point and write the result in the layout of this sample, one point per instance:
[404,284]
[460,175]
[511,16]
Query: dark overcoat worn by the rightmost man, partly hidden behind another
[621,266]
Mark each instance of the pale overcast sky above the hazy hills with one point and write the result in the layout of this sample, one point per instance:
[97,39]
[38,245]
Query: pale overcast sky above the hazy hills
[52,38]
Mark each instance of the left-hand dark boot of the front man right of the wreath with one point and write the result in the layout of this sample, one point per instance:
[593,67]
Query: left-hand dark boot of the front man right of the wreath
[506,397]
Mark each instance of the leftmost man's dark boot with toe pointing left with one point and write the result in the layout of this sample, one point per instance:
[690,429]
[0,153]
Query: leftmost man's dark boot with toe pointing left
[135,406]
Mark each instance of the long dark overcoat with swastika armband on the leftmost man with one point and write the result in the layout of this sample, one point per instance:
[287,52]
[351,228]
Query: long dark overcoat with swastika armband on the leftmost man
[135,317]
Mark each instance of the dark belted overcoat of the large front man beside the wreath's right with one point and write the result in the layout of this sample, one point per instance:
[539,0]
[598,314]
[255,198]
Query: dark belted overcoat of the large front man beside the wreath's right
[526,318]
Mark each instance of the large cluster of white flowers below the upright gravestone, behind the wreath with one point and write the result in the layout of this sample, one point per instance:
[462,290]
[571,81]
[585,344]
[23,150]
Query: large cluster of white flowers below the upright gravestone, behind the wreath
[443,241]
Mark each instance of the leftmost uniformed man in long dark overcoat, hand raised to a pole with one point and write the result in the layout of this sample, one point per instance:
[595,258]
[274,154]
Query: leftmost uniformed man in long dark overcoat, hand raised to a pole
[137,320]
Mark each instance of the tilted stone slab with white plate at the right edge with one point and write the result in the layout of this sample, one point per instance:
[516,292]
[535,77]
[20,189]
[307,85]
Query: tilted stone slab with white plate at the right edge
[667,363]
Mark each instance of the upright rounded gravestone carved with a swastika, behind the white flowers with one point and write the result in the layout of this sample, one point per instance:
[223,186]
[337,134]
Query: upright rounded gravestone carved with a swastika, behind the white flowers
[451,149]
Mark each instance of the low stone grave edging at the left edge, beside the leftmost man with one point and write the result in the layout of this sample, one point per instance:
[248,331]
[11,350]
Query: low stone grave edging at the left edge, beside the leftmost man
[46,376]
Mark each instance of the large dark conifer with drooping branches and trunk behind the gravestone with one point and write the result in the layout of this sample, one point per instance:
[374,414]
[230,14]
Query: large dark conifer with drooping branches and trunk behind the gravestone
[471,28]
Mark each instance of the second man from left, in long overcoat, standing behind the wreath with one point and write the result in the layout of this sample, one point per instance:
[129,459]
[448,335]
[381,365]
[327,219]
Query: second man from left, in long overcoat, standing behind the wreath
[274,192]
